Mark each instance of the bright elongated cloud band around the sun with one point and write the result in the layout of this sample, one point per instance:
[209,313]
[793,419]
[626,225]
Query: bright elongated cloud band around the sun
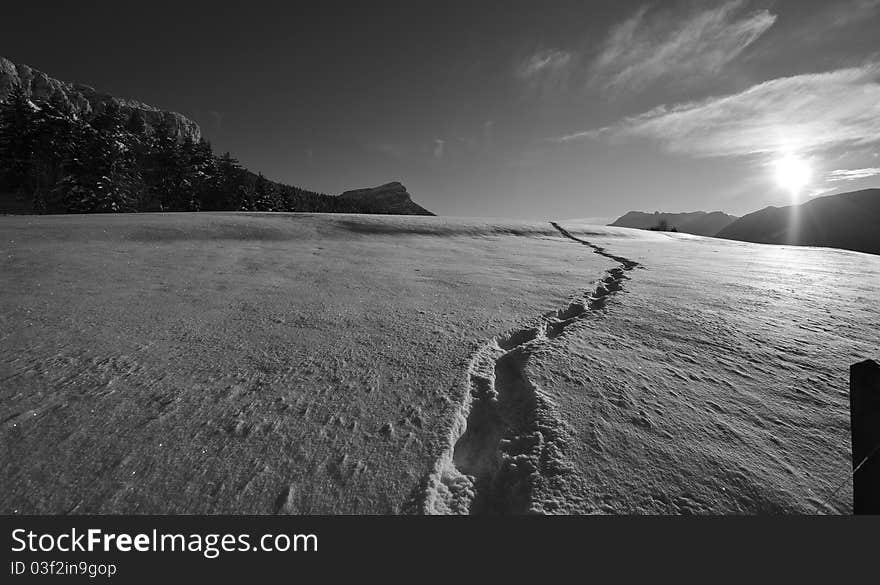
[803,113]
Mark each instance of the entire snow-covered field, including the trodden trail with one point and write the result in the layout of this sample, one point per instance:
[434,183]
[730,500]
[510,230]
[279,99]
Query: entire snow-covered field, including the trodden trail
[306,363]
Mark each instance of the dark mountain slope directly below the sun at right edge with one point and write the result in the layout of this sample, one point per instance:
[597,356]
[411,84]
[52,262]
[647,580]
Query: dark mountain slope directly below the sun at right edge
[849,220]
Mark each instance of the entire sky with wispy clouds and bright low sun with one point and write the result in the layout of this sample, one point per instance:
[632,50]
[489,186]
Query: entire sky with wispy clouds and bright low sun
[554,109]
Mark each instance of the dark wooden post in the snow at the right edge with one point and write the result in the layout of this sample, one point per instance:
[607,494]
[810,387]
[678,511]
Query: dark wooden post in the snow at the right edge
[864,410]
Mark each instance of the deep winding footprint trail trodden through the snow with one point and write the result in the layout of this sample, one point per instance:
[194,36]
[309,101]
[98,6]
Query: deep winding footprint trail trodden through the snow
[505,452]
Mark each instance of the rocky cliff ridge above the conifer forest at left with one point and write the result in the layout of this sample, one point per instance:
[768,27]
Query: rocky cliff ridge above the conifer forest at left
[85,101]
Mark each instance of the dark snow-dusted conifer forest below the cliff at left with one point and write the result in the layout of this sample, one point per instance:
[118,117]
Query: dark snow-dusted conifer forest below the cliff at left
[53,160]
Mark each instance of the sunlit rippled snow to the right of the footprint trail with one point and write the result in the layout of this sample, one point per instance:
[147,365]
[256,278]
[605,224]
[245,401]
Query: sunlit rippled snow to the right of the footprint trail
[718,381]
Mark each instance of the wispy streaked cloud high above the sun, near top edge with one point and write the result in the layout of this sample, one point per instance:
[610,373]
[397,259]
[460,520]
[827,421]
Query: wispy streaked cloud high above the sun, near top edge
[648,48]
